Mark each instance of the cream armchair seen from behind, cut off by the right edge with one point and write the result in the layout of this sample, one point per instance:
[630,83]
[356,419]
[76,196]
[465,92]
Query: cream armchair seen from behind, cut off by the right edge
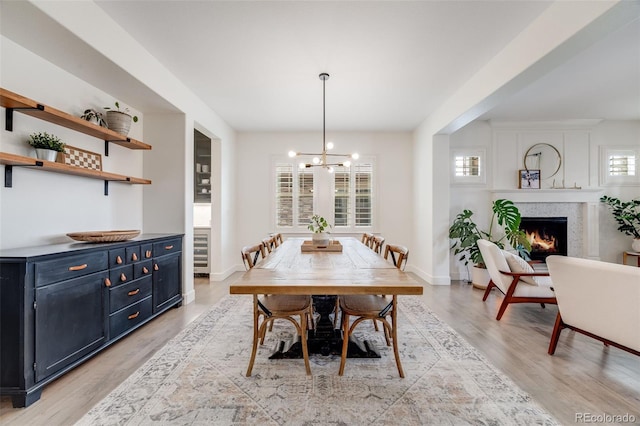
[598,299]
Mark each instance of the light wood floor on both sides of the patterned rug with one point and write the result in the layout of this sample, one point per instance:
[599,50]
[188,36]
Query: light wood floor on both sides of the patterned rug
[582,377]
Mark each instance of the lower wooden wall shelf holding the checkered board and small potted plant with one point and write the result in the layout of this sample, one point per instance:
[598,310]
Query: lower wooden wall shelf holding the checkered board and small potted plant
[11,160]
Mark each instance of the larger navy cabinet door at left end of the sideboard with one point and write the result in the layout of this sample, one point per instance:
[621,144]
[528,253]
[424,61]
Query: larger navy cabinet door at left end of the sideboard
[70,322]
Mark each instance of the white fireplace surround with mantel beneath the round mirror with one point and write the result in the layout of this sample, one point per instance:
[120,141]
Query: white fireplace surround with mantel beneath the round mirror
[580,206]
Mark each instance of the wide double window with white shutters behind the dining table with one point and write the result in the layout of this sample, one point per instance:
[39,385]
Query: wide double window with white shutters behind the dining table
[299,193]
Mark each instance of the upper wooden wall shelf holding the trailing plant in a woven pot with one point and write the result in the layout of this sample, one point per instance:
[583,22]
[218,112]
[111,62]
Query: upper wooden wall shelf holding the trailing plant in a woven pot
[14,102]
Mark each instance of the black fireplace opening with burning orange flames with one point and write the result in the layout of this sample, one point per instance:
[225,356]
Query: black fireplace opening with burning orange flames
[547,235]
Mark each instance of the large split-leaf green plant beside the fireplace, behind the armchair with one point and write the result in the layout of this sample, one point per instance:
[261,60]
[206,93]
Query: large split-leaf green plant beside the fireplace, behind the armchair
[504,226]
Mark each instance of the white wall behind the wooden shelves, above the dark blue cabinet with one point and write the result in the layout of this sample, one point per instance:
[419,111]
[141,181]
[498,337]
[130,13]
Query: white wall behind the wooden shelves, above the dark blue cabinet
[42,207]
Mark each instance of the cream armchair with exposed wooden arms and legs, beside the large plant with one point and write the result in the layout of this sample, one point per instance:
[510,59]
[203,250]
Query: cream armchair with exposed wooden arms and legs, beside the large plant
[515,278]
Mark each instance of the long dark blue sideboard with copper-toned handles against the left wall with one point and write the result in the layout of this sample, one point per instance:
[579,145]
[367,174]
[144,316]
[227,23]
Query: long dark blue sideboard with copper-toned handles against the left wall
[61,304]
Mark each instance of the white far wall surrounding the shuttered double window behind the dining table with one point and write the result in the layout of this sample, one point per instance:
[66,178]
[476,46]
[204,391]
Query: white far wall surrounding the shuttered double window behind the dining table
[393,190]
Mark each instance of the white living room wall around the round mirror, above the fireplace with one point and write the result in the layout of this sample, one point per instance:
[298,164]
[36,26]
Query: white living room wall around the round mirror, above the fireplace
[579,144]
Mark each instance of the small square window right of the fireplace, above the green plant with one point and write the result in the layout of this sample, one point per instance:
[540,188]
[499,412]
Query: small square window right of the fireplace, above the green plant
[618,166]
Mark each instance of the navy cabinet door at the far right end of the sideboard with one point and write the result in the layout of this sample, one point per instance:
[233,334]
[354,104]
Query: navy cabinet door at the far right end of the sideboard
[167,284]
